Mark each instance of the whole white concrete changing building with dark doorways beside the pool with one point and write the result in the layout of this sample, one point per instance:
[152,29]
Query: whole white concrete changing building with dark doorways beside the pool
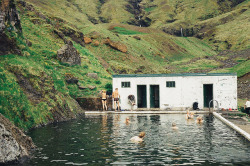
[177,91]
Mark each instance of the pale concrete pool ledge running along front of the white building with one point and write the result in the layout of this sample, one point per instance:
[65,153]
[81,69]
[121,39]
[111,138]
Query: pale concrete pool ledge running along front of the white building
[143,112]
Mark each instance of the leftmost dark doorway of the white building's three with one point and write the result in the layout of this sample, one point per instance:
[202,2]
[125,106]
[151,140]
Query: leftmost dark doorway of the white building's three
[142,96]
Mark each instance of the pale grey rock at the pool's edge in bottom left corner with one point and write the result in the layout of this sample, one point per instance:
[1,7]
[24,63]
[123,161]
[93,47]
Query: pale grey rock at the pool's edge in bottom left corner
[14,144]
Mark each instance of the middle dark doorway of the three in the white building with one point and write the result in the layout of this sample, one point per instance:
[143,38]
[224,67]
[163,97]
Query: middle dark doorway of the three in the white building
[154,96]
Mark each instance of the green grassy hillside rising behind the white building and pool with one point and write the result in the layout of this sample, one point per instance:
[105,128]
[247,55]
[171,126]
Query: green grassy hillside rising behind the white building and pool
[34,89]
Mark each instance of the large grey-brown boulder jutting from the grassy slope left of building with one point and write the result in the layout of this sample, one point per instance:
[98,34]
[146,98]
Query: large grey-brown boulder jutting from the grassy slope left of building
[68,54]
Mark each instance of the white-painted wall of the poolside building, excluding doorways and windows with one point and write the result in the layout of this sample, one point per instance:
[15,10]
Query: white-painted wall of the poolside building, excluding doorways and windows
[188,89]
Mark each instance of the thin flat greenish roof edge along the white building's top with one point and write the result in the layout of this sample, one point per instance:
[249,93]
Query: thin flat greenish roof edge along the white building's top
[174,75]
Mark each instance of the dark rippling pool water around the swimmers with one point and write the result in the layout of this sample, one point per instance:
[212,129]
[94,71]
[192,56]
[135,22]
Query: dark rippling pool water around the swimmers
[105,140]
